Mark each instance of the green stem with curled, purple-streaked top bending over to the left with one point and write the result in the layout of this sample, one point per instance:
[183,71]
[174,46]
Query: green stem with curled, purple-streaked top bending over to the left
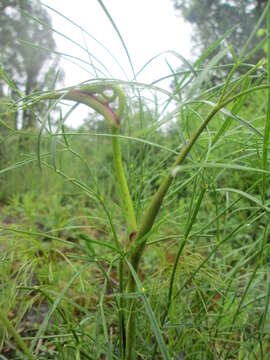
[94,96]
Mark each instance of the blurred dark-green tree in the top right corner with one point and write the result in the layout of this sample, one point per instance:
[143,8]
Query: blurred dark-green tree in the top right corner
[212,18]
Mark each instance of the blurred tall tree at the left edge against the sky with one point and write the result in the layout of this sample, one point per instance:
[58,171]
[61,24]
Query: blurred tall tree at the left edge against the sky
[27,65]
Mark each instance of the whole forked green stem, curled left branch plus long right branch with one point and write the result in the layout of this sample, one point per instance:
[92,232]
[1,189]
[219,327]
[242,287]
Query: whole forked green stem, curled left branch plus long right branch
[96,97]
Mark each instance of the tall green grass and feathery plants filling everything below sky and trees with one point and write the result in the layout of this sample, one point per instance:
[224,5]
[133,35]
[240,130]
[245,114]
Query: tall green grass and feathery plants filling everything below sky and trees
[79,280]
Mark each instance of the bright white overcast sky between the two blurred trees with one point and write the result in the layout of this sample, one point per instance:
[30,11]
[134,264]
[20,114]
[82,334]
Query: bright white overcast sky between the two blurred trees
[148,27]
